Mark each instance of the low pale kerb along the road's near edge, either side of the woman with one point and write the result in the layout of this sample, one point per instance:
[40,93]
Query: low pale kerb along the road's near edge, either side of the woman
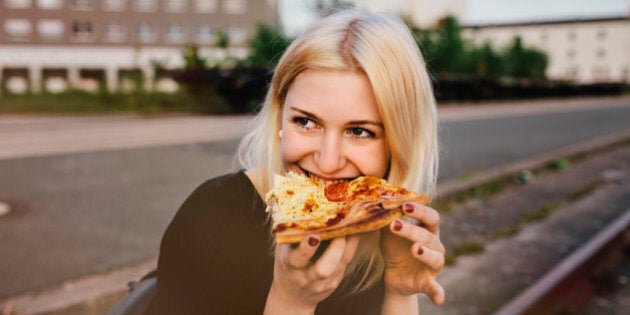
[97,293]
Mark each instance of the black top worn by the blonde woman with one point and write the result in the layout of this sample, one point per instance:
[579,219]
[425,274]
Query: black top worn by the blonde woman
[216,257]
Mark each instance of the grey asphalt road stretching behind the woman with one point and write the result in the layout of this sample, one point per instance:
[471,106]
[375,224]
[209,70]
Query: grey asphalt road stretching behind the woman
[92,209]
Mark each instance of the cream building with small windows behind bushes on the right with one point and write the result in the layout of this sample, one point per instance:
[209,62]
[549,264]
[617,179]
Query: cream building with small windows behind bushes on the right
[581,51]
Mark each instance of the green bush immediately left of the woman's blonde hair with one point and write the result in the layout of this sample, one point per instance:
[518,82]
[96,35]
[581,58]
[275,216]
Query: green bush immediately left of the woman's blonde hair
[266,46]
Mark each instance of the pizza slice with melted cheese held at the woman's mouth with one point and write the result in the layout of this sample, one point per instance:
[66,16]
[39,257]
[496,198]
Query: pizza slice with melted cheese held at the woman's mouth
[301,206]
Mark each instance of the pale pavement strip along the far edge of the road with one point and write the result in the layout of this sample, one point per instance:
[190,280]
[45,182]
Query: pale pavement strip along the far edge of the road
[34,135]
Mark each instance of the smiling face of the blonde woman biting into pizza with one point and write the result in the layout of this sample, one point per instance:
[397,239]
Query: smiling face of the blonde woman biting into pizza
[332,128]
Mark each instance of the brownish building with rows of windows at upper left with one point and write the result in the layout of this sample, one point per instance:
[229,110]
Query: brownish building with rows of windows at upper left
[54,44]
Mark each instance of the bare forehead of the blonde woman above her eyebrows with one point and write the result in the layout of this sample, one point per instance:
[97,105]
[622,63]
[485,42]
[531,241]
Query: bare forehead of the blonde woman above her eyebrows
[334,94]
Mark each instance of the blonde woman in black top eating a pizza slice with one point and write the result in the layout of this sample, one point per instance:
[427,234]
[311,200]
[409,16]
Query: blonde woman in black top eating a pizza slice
[350,97]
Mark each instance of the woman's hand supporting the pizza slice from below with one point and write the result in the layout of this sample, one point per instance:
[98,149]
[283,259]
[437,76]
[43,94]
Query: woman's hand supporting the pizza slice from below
[299,284]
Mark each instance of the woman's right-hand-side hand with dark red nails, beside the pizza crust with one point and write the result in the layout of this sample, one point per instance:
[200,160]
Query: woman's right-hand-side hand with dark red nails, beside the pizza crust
[414,254]
